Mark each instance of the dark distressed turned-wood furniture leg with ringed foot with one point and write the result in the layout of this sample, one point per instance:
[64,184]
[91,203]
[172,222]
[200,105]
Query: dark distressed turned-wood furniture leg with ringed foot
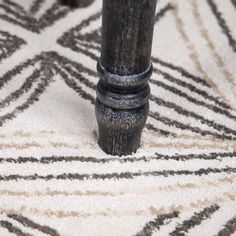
[123,92]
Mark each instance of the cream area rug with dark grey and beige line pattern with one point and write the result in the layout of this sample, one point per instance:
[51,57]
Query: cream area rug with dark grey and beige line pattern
[54,179]
